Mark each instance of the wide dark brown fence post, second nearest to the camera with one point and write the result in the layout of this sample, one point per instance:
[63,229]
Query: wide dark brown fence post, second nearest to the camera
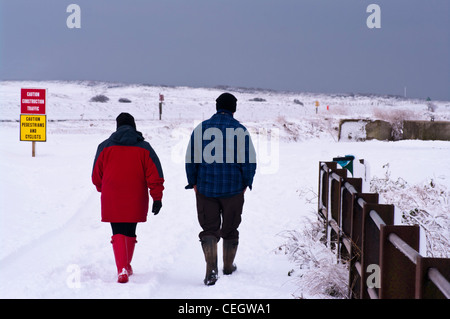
[397,270]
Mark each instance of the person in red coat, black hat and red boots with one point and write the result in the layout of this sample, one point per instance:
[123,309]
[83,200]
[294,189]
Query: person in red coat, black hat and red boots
[125,168]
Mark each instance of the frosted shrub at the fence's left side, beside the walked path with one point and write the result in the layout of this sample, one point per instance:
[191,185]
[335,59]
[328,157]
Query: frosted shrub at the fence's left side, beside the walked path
[317,273]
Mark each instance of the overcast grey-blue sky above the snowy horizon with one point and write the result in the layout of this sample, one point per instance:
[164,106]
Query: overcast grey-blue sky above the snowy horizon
[296,45]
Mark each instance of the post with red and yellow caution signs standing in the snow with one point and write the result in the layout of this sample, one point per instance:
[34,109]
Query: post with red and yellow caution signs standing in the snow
[33,118]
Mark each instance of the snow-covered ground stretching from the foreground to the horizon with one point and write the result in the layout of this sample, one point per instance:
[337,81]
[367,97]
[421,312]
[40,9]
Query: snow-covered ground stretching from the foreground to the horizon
[53,244]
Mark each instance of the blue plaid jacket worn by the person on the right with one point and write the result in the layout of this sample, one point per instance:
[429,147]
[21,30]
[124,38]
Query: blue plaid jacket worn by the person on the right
[220,158]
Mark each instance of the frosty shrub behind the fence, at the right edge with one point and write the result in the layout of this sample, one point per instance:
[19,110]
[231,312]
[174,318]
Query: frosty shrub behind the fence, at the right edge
[426,204]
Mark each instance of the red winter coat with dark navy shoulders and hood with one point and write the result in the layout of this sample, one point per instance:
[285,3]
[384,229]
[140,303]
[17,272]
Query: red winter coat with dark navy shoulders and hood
[125,167]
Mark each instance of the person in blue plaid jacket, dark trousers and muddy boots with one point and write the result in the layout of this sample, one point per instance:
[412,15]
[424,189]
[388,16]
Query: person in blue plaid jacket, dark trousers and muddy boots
[220,166]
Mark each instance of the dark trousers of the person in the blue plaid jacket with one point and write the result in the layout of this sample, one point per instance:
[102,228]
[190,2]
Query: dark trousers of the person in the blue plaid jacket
[219,217]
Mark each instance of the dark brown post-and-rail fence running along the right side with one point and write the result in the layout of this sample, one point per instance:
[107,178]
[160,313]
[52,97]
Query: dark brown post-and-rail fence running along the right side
[383,258]
